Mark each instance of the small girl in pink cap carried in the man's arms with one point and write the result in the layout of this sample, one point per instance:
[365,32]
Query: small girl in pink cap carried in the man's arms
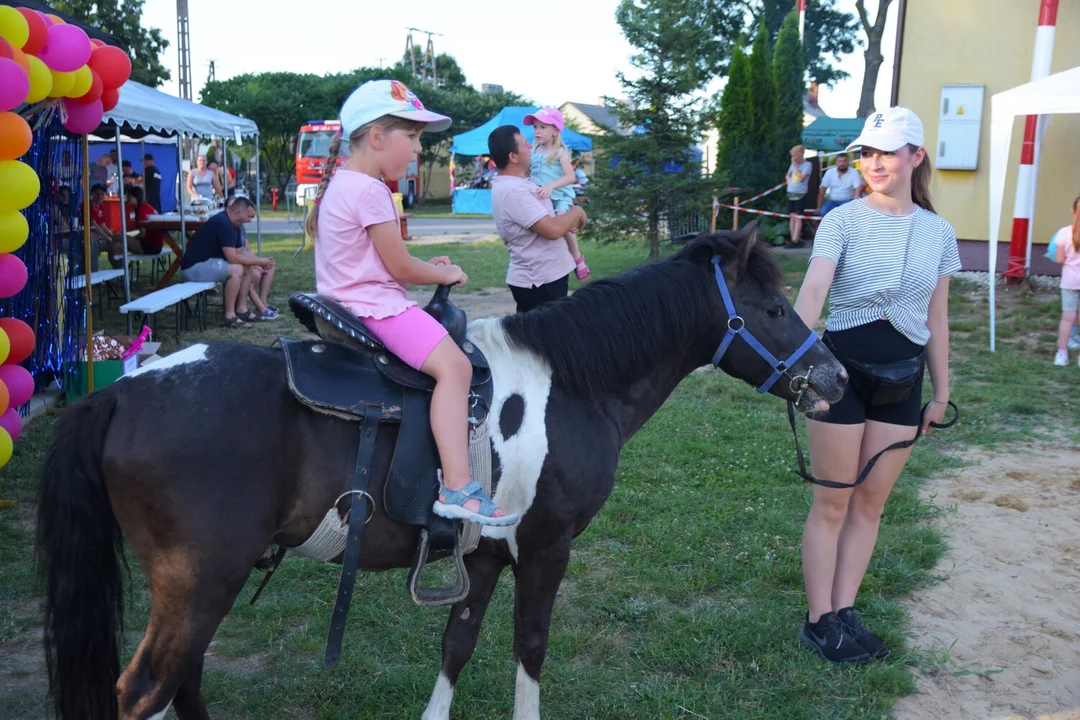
[552,171]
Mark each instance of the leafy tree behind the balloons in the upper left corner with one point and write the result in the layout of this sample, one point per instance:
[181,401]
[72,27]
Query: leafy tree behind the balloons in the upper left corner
[124,19]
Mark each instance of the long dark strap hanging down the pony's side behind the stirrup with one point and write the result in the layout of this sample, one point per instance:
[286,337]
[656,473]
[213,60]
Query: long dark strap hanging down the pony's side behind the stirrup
[358,517]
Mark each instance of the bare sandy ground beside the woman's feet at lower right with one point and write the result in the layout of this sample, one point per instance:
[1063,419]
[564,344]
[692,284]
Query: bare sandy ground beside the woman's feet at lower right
[1001,633]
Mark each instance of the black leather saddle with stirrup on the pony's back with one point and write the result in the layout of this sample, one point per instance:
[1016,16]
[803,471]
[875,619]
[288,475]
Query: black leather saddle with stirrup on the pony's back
[349,374]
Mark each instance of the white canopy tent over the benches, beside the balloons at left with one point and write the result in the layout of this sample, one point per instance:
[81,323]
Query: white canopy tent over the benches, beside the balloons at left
[144,111]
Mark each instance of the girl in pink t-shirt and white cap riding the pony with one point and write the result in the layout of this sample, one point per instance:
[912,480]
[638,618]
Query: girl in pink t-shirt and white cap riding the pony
[361,262]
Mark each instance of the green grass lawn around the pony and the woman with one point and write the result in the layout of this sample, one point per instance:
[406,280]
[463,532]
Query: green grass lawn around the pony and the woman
[682,600]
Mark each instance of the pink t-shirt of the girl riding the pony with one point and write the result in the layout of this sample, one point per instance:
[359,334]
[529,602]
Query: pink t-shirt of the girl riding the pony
[348,268]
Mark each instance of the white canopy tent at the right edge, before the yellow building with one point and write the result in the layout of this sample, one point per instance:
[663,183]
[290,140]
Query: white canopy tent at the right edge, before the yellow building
[1055,94]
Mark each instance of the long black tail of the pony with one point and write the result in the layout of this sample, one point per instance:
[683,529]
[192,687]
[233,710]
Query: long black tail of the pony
[79,553]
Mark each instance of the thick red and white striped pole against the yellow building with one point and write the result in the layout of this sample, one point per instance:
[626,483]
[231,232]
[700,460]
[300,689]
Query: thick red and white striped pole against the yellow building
[1028,179]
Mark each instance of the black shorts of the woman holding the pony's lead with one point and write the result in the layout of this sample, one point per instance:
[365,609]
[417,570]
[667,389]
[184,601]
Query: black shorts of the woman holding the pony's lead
[876,343]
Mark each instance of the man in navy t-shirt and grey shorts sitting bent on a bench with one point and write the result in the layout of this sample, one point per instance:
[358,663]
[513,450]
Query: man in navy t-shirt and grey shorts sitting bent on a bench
[214,256]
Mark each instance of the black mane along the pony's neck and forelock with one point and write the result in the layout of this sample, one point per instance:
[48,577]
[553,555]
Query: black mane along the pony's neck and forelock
[620,328]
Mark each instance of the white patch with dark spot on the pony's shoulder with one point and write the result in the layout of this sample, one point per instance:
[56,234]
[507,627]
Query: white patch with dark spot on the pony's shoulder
[516,372]
